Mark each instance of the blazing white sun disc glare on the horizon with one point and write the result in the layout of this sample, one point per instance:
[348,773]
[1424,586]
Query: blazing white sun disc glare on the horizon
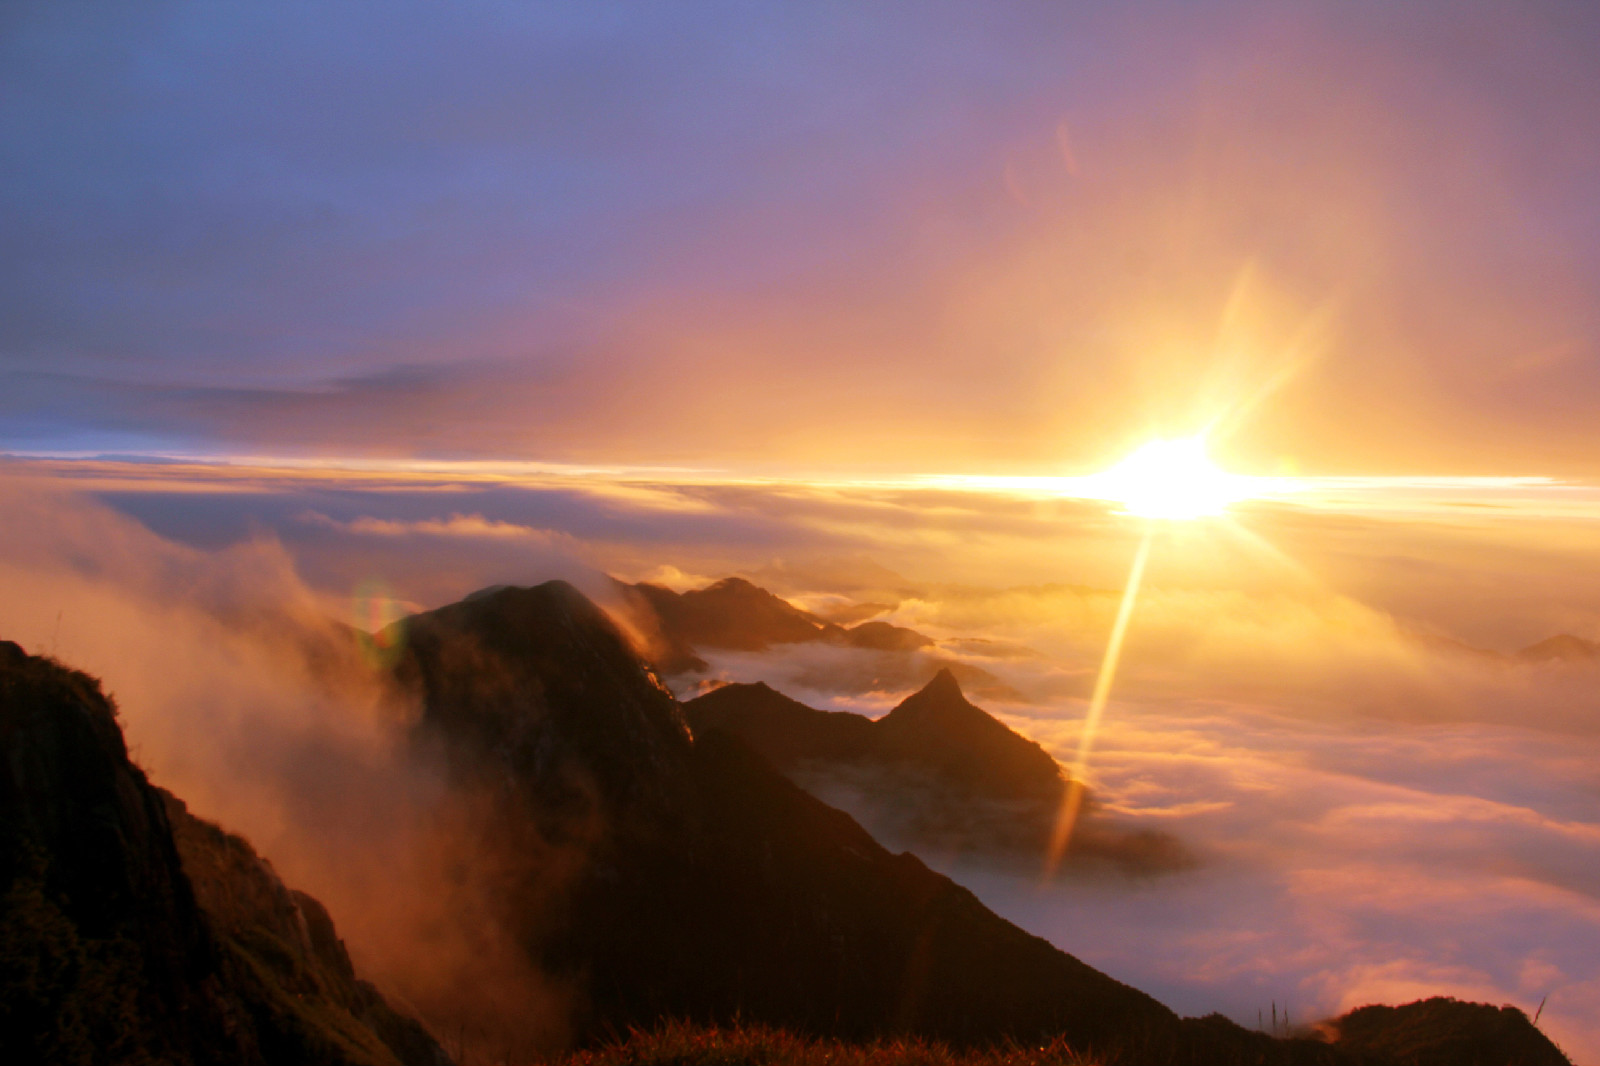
[1172,479]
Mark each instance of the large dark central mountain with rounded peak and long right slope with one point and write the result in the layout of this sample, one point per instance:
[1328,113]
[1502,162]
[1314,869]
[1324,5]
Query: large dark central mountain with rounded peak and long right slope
[714,888]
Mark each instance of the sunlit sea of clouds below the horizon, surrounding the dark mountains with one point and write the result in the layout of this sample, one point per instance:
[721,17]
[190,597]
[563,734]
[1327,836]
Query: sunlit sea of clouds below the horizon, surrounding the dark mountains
[1380,817]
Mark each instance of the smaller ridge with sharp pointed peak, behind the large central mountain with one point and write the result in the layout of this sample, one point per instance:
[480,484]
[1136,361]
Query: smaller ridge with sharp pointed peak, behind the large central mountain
[937,774]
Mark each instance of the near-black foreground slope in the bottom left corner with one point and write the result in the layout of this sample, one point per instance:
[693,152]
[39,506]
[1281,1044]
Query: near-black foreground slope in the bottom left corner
[126,942]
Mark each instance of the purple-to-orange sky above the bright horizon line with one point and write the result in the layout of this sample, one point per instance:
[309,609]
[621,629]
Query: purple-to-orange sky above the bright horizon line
[905,236]
